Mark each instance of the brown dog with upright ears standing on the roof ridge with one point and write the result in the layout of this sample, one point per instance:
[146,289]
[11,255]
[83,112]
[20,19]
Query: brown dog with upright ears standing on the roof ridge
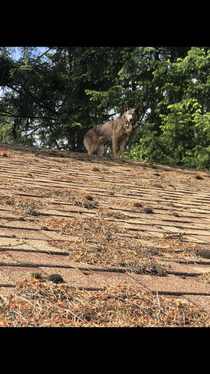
[117,130]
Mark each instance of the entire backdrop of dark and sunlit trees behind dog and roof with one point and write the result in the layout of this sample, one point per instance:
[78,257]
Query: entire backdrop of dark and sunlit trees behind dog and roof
[52,98]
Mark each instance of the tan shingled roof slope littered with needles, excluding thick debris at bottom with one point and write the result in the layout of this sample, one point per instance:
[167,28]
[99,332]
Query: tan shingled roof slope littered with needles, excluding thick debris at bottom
[100,222]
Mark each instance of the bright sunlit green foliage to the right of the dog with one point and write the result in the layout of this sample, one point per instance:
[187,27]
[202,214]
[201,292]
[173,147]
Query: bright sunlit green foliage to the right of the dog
[180,134]
